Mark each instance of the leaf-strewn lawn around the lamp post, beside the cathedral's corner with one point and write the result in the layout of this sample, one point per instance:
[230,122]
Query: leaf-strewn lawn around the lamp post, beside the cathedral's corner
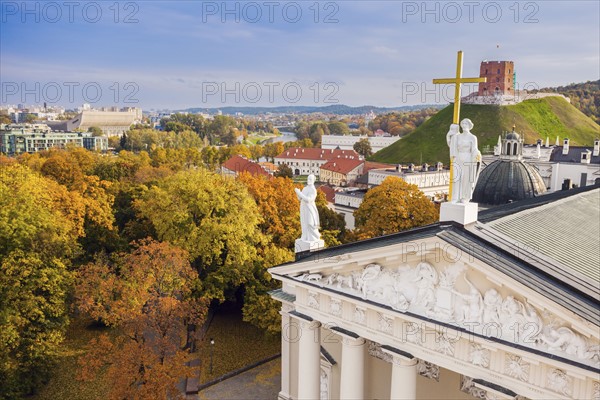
[237,344]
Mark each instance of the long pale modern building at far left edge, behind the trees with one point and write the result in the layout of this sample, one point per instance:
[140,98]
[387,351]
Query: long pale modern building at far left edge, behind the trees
[31,138]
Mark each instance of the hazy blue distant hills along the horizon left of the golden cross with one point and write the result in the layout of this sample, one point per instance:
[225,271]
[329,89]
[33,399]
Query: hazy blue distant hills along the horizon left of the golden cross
[338,109]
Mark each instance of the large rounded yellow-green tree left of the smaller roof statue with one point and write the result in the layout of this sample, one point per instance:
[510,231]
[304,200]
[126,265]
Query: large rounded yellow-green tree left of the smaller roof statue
[210,216]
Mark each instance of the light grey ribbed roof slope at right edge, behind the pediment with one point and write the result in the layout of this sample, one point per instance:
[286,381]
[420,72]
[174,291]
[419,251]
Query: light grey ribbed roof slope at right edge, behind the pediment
[567,231]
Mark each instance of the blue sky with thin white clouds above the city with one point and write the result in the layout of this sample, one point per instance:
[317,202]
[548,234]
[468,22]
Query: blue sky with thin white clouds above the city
[180,54]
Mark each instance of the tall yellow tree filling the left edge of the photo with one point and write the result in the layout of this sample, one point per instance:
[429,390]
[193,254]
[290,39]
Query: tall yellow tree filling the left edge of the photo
[40,222]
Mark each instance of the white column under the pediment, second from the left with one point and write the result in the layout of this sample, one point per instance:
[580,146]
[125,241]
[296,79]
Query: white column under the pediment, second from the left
[309,360]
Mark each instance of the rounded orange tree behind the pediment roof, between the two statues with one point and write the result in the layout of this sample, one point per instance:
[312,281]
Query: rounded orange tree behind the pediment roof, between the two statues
[391,207]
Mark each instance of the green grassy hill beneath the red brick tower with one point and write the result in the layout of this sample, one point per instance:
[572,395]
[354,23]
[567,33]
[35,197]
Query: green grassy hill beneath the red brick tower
[536,119]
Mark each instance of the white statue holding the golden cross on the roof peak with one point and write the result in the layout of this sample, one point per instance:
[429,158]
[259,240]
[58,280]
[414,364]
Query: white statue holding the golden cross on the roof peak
[465,157]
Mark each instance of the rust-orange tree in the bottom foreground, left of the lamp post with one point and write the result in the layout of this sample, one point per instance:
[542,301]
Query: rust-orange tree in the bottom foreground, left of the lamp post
[148,295]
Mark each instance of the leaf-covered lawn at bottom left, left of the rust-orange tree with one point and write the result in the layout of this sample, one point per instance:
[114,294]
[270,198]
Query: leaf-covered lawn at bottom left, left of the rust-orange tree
[63,383]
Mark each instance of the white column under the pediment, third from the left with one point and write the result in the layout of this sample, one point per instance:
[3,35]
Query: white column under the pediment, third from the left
[352,383]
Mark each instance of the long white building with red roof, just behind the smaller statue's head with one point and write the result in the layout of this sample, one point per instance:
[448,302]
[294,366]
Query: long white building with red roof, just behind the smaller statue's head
[306,161]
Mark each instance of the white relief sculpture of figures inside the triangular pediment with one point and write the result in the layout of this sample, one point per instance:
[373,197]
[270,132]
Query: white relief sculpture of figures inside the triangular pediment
[423,290]
